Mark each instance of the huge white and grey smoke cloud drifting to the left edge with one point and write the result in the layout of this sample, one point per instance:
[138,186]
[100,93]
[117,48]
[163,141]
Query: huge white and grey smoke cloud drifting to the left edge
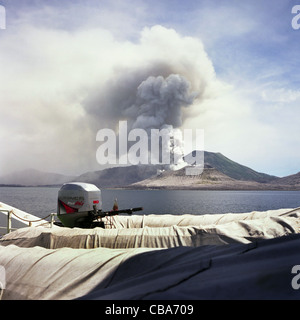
[57,97]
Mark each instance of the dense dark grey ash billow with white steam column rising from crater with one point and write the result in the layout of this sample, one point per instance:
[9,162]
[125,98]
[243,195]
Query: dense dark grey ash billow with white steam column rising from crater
[158,105]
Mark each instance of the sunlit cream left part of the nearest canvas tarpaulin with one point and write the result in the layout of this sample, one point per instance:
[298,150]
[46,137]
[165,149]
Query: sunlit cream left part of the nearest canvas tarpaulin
[39,273]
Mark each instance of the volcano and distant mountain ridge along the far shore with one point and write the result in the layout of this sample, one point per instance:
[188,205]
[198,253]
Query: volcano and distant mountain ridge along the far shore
[219,173]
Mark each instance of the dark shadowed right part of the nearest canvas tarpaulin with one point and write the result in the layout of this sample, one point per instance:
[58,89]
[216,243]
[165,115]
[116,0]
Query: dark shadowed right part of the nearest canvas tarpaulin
[254,271]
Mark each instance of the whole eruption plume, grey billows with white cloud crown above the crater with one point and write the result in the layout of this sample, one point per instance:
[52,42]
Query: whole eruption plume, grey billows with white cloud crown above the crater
[161,92]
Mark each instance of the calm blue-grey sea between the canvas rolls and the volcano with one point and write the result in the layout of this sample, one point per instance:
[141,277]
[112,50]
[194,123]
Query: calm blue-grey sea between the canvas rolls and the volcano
[41,201]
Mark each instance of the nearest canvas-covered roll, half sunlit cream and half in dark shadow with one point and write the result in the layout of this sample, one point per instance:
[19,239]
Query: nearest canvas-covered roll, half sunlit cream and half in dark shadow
[260,270]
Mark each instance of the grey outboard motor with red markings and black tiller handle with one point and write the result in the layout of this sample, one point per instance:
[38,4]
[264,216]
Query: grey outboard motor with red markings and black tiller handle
[79,205]
